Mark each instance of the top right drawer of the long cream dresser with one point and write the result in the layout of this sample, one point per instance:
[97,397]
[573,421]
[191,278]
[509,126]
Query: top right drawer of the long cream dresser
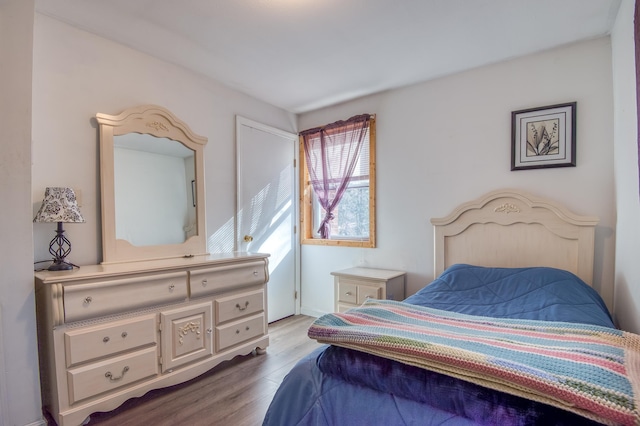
[207,281]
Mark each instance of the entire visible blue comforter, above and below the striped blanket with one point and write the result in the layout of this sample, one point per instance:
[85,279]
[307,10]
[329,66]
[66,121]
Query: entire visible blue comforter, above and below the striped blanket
[337,386]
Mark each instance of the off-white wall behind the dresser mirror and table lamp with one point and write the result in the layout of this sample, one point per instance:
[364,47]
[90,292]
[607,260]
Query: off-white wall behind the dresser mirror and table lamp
[76,75]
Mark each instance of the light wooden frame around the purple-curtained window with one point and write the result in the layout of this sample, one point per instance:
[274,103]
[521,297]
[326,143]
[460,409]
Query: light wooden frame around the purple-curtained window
[306,201]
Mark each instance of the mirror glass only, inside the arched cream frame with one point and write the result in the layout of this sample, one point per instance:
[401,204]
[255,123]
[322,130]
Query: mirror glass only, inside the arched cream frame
[154,203]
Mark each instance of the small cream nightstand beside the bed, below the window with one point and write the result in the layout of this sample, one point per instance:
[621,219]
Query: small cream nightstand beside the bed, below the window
[354,285]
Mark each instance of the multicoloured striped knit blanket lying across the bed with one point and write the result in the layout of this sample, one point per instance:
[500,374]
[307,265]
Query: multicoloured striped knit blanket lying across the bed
[589,370]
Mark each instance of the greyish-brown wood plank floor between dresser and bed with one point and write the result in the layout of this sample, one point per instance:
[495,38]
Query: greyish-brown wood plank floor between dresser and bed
[236,392]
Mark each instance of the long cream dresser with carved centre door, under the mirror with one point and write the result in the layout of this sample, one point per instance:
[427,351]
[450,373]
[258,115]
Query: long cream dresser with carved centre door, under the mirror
[108,333]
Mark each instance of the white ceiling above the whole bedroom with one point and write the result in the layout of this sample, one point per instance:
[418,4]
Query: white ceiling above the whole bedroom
[302,55]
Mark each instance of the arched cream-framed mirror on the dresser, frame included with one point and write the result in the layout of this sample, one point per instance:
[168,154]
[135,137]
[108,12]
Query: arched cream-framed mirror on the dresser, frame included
[152,179]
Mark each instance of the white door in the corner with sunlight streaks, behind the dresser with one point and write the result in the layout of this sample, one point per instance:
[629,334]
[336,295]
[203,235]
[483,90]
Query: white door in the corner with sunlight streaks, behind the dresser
[267,210]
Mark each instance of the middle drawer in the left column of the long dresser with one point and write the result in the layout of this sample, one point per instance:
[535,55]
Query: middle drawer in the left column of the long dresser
[87,343]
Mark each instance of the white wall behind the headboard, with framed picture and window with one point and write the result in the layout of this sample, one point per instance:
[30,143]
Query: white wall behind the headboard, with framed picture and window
[447,141]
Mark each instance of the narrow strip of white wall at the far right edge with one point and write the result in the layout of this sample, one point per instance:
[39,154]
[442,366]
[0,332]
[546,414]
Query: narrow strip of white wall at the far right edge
[627,279]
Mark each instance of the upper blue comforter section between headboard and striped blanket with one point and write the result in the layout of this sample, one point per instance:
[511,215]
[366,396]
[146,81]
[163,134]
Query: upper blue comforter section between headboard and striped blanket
[526,293]
